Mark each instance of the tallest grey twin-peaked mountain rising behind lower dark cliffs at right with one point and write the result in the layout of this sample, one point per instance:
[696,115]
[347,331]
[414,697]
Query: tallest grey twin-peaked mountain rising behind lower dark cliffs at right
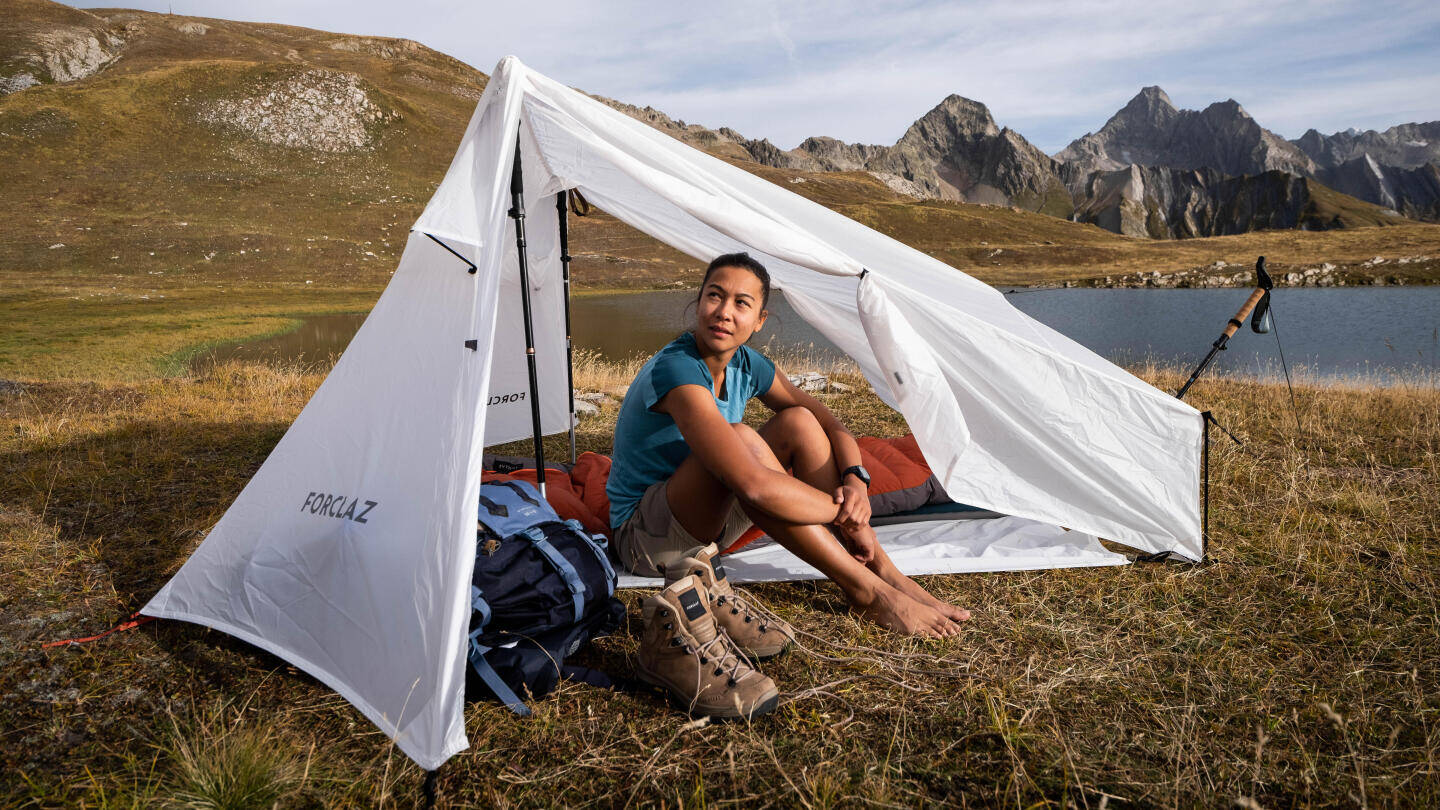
[1151,132]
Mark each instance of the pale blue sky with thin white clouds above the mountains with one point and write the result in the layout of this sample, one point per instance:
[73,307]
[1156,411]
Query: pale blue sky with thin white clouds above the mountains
[865,71]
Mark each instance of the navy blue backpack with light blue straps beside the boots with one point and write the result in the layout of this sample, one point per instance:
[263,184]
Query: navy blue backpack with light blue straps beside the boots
[544,587]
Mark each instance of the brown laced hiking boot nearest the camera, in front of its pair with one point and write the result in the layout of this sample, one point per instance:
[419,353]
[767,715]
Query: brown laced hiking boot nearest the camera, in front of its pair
[686,654]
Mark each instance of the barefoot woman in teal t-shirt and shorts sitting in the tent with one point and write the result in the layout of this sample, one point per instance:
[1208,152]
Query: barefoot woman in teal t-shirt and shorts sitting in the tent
[689,473]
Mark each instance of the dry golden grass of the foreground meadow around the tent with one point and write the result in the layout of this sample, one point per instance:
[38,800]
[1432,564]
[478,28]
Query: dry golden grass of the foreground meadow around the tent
[1297,668]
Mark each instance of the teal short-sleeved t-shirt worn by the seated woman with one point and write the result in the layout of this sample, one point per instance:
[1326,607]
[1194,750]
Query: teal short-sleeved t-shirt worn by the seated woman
[649,446]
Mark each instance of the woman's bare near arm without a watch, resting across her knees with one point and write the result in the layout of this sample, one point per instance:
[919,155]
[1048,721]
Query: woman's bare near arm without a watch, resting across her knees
[725,455]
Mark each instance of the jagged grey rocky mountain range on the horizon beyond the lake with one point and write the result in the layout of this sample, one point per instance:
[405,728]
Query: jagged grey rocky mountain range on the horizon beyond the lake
[1151,171]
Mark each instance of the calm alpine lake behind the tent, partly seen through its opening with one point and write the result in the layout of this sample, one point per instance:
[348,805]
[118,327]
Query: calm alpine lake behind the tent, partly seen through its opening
[1373,335]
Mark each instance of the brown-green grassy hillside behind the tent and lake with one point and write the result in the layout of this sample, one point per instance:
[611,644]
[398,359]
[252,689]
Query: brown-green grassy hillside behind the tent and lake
[148,211]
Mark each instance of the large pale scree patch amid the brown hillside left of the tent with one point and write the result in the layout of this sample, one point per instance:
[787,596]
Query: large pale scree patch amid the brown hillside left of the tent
[316,110]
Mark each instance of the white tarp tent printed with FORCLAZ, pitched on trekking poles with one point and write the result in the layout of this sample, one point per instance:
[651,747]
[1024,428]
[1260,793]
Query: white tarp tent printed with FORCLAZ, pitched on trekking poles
[351,551]
